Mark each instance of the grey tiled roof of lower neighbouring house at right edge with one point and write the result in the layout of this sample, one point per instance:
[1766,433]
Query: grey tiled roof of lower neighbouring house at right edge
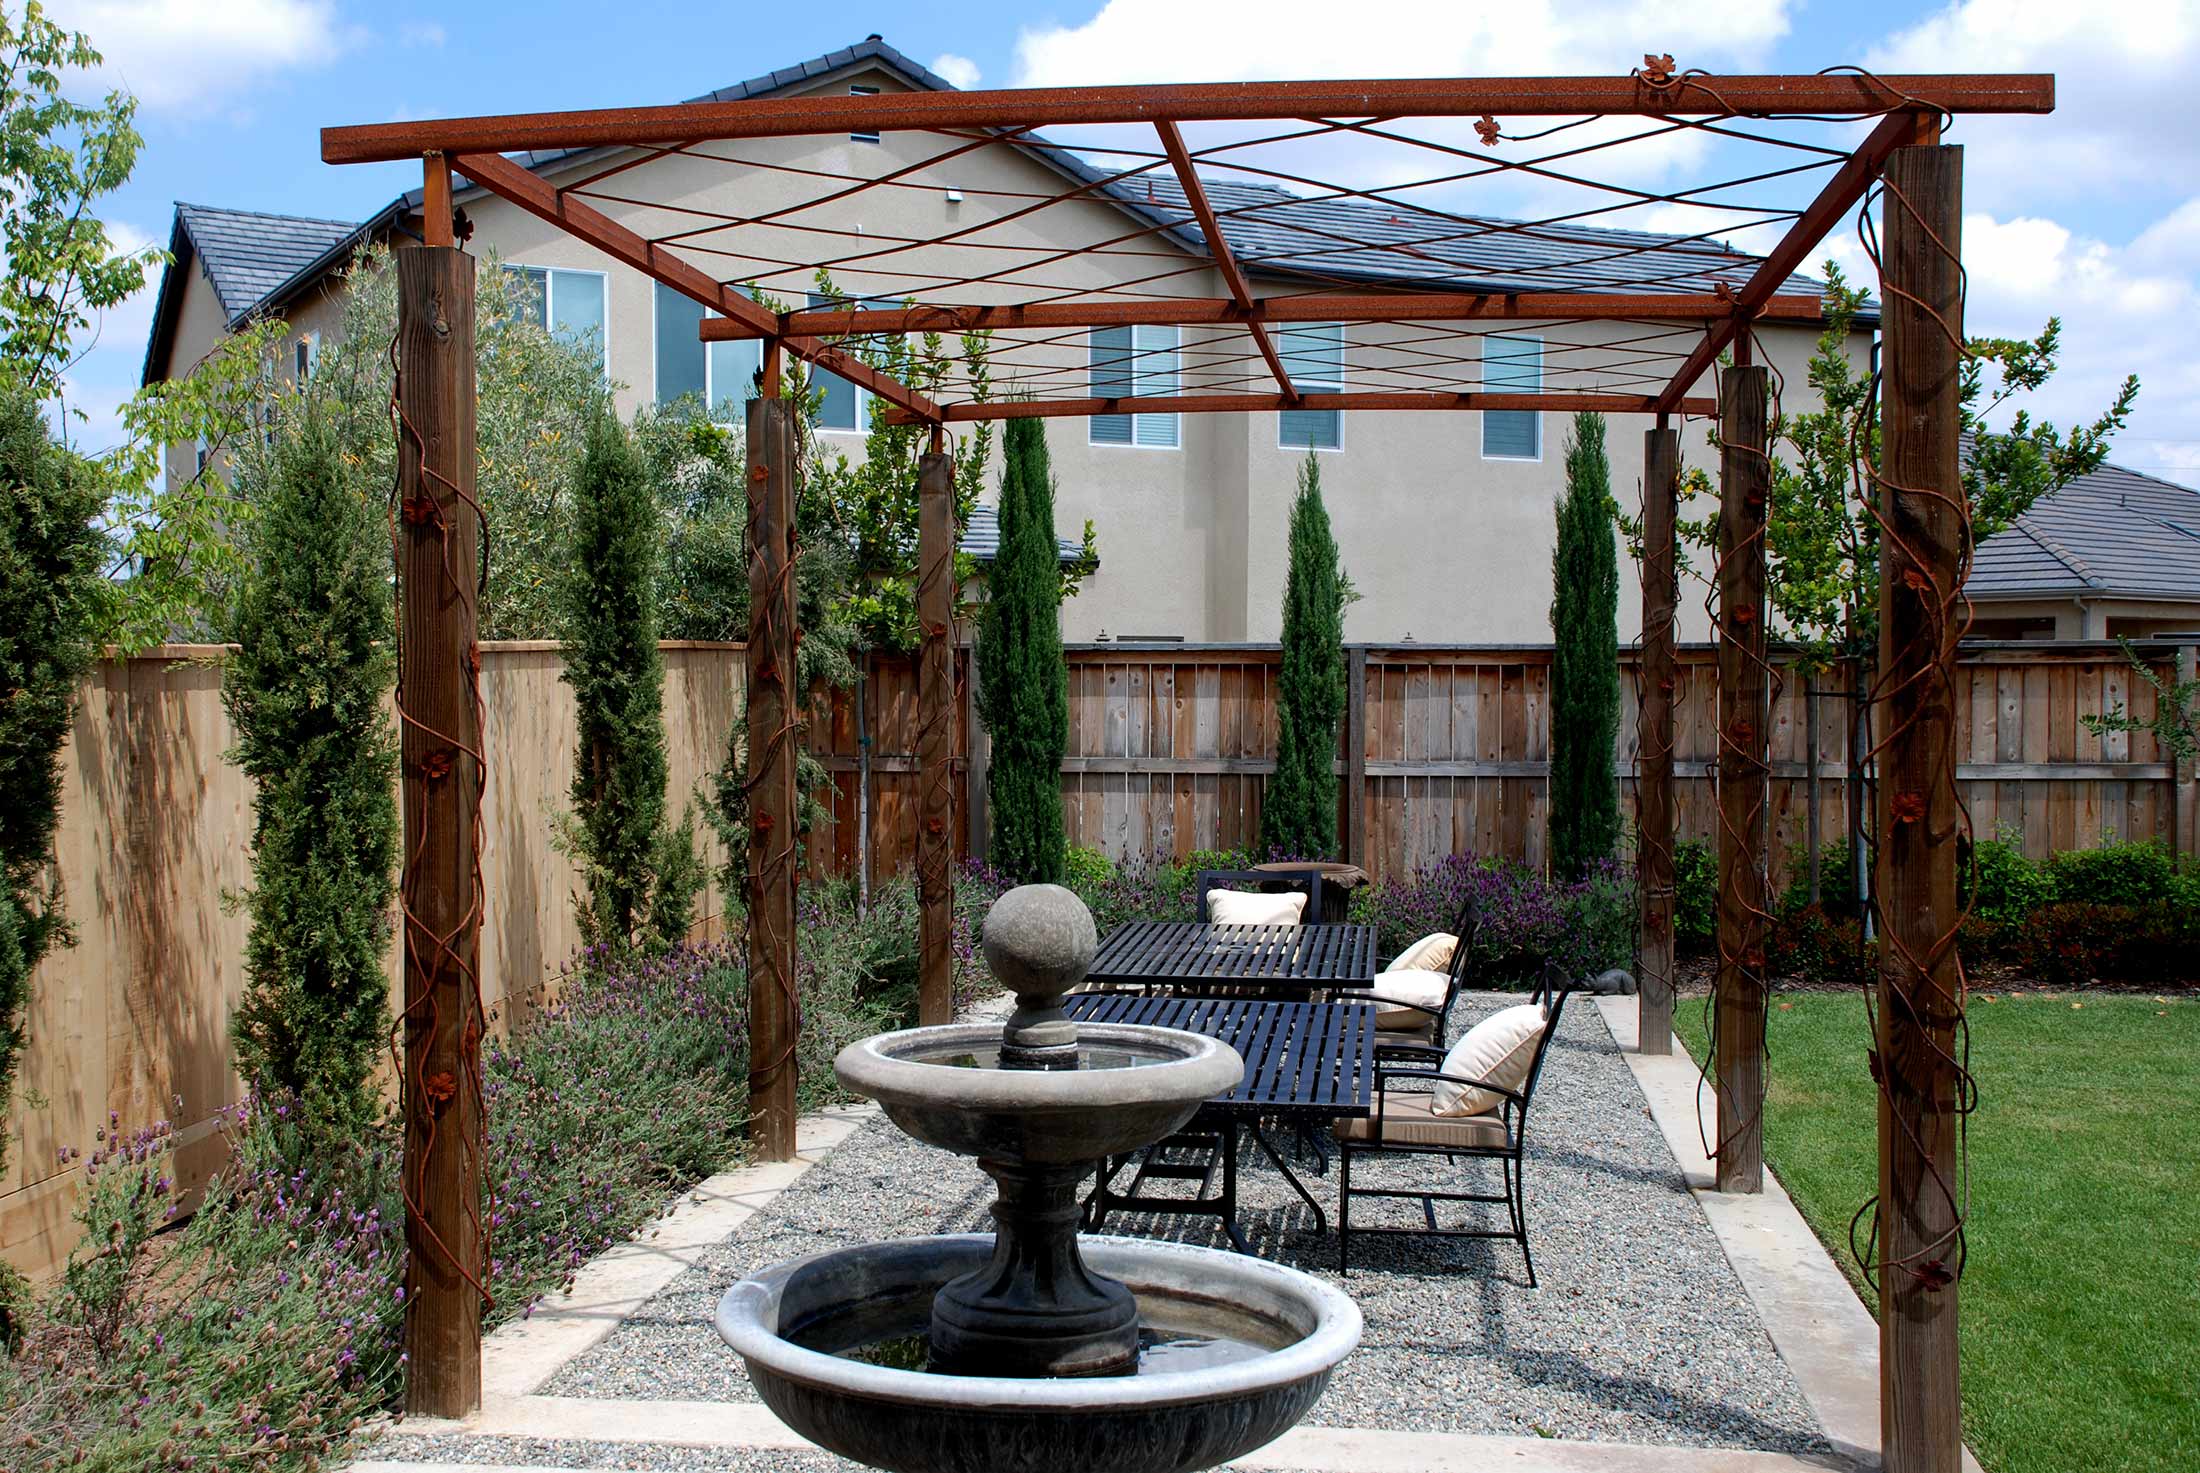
[2113,533]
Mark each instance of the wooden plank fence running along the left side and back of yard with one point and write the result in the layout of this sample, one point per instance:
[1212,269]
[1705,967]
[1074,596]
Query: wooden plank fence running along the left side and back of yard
[1446,751]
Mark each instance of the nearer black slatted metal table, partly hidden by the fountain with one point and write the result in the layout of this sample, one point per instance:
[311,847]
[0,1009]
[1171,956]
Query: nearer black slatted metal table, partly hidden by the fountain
[1306,1065]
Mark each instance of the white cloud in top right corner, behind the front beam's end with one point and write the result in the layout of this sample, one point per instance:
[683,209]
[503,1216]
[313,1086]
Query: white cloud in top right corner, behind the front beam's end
[2124,120]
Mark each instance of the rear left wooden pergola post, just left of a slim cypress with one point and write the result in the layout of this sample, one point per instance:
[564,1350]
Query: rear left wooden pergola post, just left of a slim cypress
[936,735]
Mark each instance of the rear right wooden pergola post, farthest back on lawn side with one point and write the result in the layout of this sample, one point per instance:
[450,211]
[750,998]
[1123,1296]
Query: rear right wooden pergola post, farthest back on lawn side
[1653,740]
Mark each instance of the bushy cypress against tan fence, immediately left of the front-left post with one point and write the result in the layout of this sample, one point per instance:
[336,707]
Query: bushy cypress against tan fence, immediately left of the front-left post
[307,694]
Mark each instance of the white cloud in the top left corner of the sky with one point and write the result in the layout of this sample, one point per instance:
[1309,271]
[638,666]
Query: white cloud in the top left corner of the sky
[197,56]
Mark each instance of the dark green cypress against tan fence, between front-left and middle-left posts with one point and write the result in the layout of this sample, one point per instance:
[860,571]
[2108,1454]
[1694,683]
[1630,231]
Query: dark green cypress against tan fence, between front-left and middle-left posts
[617,678]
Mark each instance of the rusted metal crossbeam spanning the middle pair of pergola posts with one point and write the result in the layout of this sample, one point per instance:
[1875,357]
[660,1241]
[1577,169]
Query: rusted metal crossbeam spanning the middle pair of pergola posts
[1224,311]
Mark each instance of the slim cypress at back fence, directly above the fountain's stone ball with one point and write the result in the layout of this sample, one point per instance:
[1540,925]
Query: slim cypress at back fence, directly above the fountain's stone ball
[1024,683]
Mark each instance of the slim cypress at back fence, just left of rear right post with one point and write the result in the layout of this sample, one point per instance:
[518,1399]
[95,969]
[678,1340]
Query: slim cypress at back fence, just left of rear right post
[1585,658]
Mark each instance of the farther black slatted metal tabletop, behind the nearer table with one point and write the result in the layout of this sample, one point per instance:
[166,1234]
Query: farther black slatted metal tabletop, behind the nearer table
[1273,962]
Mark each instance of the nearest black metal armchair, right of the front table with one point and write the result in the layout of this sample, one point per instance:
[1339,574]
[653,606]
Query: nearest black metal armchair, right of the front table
[1405,1127]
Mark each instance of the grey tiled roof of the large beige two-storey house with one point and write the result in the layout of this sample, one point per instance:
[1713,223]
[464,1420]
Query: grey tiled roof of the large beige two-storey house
[1273,232]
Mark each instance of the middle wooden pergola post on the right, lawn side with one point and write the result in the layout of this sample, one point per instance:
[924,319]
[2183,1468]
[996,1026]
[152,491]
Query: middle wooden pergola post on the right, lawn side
[1743,777]
